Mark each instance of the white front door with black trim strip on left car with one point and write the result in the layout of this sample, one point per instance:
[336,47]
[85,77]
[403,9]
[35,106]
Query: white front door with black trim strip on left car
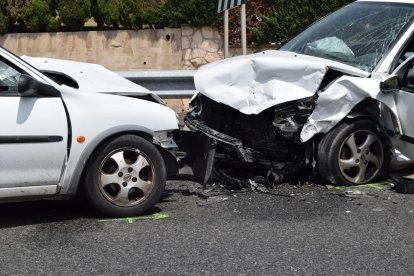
[33,134]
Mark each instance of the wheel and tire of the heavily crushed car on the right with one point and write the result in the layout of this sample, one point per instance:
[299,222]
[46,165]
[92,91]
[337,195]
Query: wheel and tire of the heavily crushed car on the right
[353,153]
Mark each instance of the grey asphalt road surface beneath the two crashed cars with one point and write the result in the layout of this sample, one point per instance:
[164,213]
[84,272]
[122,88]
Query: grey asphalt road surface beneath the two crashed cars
[298,230]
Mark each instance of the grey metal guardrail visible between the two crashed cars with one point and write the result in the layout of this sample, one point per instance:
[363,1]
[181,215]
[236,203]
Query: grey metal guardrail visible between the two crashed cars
[164,83]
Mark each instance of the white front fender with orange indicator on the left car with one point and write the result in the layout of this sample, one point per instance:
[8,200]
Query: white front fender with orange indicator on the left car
[97,123]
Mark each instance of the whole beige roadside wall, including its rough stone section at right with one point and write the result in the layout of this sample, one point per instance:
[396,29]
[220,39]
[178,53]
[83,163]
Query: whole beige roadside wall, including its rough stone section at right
[165,49]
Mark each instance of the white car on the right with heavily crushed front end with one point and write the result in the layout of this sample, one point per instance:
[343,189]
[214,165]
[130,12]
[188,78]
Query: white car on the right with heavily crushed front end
[336,98]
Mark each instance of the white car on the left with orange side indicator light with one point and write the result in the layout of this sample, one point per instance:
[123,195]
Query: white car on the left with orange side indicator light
[56,140]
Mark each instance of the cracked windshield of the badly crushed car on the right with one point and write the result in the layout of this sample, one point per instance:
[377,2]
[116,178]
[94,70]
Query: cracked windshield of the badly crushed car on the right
[359,34]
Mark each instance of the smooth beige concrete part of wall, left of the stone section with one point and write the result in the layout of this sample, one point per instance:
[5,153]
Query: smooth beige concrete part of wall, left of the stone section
[116,50]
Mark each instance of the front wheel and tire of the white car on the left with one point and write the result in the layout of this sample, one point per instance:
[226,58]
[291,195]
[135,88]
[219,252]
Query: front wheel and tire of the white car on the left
[126,177]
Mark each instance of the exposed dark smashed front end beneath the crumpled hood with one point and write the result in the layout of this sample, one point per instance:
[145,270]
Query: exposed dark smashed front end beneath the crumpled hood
[271,138]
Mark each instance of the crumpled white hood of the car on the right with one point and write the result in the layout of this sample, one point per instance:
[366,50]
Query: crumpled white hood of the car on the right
[254,83]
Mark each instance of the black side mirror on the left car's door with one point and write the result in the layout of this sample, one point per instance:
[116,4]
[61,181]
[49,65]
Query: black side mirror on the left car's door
[30,87]
